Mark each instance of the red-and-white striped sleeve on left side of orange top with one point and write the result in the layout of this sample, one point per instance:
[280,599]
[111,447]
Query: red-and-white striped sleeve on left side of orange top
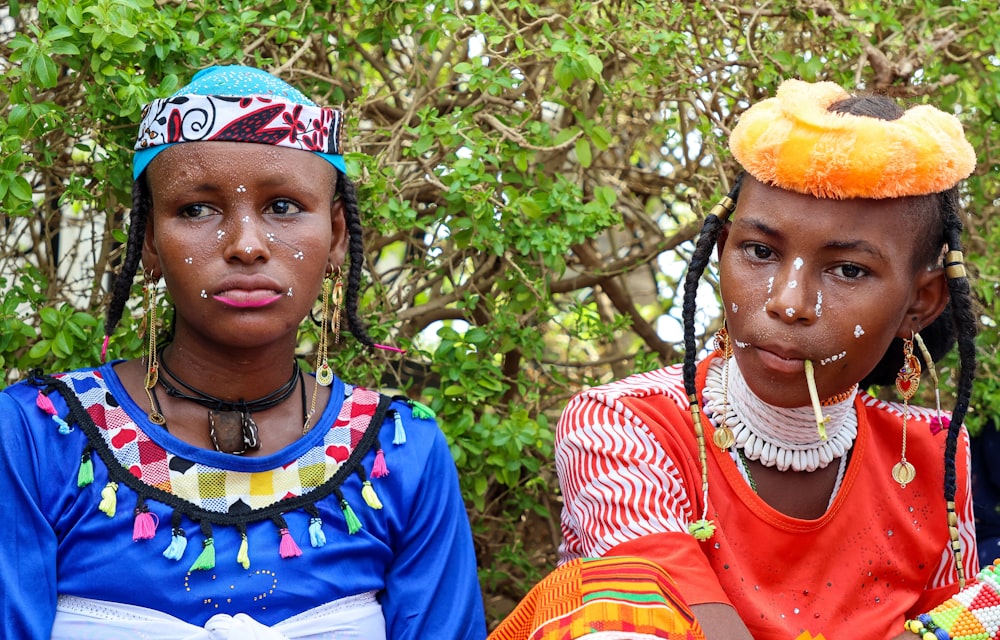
[618,483]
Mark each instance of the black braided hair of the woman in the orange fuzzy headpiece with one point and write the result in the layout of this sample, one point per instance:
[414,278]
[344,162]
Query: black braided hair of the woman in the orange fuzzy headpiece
[956,323]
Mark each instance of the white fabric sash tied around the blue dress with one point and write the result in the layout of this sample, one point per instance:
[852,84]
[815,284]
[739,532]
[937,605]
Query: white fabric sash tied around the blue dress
[355,617]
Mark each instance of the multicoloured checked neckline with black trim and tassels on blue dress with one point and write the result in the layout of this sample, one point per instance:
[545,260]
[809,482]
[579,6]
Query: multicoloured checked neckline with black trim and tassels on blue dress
[210,495]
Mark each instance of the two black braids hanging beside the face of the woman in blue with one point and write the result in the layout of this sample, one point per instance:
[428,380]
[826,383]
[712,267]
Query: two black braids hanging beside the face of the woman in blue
[142,202]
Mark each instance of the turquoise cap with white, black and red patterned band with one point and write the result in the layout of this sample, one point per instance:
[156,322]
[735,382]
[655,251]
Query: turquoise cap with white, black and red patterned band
[239,104]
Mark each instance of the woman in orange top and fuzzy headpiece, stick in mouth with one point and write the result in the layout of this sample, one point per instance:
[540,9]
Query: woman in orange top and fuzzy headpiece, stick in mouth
[782,499]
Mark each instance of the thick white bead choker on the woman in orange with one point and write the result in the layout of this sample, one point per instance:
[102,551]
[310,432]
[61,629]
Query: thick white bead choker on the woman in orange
[780,437]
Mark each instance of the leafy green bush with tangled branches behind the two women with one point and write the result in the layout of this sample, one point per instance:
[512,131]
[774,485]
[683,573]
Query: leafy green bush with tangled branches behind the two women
[531,175]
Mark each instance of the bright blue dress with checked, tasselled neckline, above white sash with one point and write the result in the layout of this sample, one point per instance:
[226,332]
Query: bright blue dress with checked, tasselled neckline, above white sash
[115,508]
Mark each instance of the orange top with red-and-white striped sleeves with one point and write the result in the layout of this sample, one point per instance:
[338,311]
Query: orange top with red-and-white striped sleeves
[628,466]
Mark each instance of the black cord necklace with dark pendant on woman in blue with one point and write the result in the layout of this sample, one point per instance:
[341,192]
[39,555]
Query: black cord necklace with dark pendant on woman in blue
[231,424]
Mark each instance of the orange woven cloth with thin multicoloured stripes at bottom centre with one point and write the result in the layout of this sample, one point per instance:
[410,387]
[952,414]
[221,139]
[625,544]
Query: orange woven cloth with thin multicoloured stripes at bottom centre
[602,598]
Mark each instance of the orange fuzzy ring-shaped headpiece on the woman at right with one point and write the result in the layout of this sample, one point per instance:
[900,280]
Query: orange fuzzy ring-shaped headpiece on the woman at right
[793,142]
